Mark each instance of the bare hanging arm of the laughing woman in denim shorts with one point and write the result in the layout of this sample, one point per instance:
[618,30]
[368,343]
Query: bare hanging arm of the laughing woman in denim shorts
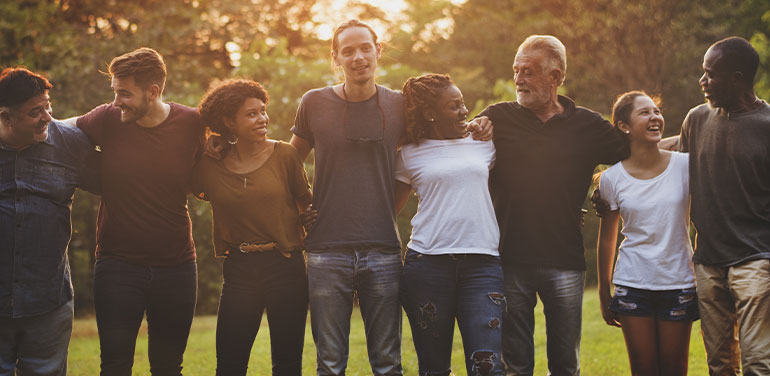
[608,236]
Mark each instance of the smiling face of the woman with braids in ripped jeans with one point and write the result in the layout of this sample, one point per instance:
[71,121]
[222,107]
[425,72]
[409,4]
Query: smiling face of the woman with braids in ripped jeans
[448,113]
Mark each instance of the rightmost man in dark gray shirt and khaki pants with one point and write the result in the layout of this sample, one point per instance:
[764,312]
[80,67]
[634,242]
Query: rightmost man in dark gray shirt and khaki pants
[729,144]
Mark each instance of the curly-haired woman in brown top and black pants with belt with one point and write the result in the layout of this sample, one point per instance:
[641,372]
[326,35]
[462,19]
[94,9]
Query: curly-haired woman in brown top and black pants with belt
[256,193]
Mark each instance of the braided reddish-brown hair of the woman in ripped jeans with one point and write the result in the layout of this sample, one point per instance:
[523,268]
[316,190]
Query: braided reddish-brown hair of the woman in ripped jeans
[420,94]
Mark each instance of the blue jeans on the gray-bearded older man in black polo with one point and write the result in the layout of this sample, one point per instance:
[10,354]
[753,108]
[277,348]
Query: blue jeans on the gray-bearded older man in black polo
[561,292]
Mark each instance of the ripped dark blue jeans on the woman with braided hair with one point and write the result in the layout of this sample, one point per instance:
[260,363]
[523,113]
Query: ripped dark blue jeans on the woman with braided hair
[436,290]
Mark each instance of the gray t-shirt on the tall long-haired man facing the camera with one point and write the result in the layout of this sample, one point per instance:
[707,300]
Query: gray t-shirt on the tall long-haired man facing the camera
[355,156]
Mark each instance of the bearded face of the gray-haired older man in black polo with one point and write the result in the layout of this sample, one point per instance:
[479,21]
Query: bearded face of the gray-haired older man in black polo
[535,85]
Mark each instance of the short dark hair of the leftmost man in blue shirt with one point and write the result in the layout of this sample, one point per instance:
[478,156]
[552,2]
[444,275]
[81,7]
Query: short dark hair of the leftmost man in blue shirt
[18,85]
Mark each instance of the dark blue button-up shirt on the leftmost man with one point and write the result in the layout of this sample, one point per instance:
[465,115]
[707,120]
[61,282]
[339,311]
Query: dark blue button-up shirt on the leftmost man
[36,189]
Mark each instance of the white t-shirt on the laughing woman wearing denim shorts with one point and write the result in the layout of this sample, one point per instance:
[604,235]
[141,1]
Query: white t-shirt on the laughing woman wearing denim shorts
[656,253]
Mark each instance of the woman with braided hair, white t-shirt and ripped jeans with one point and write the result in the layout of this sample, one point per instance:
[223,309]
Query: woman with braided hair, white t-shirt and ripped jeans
[452,268]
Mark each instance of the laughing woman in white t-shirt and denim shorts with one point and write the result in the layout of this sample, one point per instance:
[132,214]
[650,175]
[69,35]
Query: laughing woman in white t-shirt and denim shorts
[654,301]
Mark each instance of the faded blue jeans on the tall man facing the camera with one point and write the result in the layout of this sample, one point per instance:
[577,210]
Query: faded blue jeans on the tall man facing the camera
[373,274]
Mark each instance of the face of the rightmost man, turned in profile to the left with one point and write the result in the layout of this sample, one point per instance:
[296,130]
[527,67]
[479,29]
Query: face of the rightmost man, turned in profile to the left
[717,81]
